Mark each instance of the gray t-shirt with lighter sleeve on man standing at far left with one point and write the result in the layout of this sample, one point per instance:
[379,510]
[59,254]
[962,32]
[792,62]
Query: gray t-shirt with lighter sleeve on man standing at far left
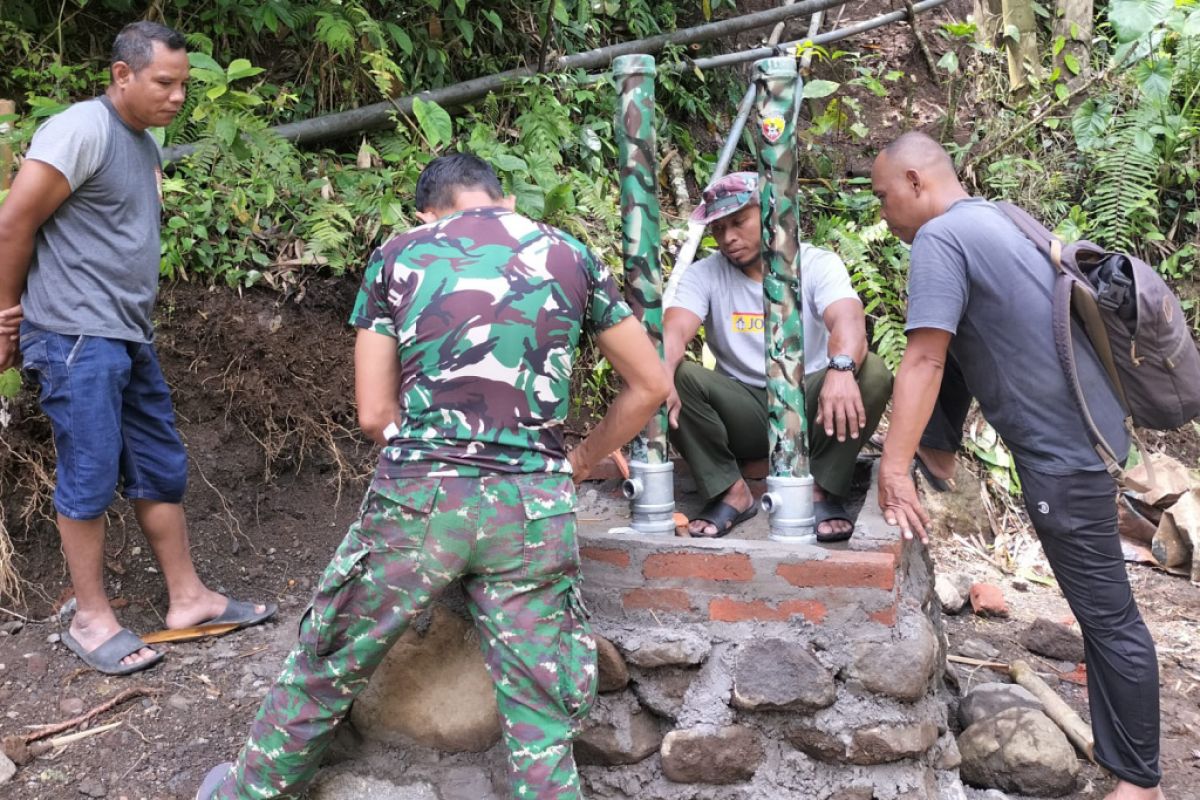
[95,268]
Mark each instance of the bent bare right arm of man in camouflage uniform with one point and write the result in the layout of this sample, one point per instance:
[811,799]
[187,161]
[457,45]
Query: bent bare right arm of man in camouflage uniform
[646,386]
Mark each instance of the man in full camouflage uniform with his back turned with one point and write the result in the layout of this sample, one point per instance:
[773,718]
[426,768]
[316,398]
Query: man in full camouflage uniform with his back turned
[469,328]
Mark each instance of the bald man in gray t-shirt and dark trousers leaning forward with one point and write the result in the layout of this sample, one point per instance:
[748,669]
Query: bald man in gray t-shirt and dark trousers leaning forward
[980,314]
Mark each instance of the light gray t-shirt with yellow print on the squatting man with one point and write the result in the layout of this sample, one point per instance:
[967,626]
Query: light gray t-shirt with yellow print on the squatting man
[733,309]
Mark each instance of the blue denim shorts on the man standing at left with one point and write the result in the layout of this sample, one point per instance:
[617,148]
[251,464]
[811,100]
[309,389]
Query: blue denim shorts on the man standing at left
[111,411]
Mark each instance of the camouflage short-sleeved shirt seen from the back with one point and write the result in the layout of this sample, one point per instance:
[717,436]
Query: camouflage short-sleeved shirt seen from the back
[487,309]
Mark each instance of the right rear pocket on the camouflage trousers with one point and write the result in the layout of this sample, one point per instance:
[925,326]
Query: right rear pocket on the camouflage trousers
[551,546]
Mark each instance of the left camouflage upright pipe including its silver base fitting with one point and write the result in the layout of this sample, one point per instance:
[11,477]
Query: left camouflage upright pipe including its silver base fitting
[651,486]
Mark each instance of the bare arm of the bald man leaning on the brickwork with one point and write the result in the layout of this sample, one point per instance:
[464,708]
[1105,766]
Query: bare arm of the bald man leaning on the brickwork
[917,384]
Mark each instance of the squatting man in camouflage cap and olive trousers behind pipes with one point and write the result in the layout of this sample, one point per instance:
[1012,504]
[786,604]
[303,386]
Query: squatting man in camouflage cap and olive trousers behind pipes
[721,417]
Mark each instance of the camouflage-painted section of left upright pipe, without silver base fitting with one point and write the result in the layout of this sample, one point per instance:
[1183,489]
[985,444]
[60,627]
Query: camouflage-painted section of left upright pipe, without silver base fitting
[640,221]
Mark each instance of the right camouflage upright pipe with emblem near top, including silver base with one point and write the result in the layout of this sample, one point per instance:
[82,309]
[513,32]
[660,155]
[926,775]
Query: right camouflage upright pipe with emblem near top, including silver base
[789,498]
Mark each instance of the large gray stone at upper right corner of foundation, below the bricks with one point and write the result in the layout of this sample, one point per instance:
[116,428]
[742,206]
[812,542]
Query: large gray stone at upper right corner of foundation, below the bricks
[899,669]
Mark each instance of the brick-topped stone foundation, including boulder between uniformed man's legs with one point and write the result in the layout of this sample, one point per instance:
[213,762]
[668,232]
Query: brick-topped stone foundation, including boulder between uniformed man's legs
[729,671]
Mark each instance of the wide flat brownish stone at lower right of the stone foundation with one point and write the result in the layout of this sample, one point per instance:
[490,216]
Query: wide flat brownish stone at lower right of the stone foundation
[874,744]
